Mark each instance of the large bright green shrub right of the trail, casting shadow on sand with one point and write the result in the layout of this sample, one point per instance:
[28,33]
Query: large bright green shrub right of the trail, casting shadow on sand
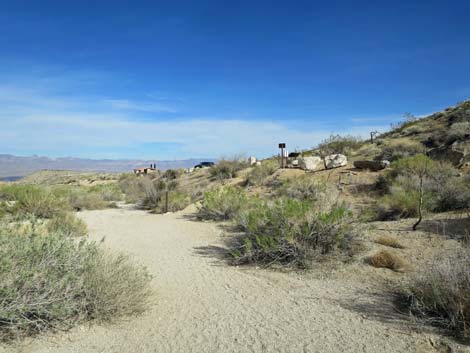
[290,232]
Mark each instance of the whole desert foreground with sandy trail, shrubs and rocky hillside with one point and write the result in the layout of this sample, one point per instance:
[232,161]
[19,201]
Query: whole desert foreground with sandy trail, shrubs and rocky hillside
[356,243]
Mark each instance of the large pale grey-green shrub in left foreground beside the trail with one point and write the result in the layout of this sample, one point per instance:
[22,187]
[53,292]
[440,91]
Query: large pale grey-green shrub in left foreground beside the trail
[56,282]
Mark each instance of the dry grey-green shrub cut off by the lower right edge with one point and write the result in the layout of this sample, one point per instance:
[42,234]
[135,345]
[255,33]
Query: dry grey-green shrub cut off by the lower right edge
[439,293]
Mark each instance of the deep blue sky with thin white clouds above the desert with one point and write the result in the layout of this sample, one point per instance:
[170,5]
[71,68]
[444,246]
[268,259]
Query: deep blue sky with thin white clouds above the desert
[176,79]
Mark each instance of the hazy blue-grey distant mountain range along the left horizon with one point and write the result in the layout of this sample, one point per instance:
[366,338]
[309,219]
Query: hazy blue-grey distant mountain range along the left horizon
[14,166]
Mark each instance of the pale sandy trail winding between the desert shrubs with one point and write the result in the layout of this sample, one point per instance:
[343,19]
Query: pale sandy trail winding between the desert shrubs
[203,305]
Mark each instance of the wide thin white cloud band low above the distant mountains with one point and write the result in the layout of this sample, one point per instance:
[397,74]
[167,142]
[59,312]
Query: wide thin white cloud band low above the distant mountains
[39,119]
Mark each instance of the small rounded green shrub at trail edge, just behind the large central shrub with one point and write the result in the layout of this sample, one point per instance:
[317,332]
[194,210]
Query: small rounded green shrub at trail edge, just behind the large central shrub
[222,203]
